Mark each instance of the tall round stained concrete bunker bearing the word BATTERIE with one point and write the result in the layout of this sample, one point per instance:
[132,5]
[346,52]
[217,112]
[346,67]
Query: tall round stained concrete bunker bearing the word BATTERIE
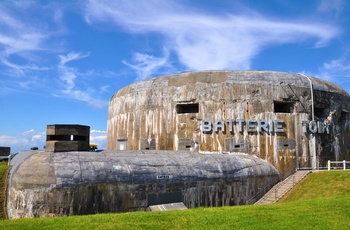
[168,112]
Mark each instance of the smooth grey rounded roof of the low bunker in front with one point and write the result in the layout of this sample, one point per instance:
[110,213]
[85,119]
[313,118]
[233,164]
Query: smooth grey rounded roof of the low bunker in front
[72,168]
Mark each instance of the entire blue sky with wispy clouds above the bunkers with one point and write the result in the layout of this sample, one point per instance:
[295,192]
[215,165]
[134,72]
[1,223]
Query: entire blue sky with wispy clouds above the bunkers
[61,61]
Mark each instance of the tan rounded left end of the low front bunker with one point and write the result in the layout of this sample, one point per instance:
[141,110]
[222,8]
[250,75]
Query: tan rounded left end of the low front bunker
[31,179]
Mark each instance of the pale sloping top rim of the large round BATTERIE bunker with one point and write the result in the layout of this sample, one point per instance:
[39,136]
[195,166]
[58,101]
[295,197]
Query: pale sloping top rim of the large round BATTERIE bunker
[232,76]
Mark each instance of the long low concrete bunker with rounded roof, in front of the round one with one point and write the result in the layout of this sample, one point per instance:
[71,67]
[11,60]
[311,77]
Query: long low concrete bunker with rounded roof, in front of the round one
[68,183]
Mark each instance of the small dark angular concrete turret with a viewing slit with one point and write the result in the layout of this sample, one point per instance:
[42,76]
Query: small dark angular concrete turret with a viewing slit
[63,138]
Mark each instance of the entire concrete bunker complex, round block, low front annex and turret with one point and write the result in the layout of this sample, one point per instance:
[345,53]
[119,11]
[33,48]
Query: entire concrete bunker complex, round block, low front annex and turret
[166,142]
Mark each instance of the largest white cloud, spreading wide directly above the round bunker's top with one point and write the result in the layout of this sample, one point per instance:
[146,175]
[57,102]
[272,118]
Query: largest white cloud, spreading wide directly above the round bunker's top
[205,41]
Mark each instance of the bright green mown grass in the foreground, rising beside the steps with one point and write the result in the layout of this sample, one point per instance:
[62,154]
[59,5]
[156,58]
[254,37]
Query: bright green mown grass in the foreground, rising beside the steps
[321,201]
